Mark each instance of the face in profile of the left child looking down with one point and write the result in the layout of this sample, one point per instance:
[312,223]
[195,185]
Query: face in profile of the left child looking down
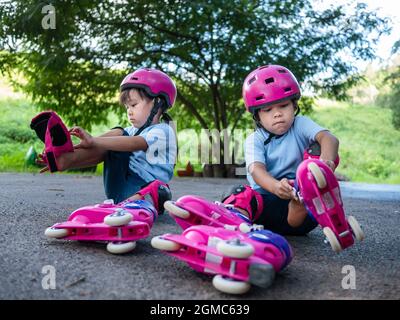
[138,108]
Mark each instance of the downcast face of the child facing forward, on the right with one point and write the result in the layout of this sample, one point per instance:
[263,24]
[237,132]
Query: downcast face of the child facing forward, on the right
[277,118]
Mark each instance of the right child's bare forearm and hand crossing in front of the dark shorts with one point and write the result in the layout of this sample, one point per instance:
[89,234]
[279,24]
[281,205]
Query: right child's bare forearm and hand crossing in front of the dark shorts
[281,188]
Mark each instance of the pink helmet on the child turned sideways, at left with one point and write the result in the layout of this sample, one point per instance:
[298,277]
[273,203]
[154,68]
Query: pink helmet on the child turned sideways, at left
[154,82]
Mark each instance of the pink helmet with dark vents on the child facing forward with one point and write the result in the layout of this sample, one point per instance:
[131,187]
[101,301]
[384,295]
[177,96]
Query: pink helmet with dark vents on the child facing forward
[268,85]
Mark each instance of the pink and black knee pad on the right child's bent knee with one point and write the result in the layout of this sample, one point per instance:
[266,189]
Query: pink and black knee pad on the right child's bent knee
[244,197]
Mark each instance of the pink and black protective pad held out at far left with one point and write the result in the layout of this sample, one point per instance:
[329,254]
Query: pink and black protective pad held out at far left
[57,140]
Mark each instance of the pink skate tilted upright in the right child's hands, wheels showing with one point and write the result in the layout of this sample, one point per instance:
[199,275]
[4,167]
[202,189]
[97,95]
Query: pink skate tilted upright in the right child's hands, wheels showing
[319,189]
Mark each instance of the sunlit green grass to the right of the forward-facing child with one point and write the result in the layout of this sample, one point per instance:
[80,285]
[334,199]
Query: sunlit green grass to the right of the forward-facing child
[369,145]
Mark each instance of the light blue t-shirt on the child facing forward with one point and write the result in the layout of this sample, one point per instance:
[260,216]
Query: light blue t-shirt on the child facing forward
[282,155]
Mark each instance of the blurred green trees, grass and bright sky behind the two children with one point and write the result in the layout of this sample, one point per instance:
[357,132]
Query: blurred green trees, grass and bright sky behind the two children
[208,47]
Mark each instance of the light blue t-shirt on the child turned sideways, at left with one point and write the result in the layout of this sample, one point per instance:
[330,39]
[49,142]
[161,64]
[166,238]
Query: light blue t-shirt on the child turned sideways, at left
[157,162]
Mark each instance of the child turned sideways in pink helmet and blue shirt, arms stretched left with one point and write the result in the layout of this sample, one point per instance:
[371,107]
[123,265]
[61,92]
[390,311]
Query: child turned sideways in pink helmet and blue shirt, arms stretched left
[135,156]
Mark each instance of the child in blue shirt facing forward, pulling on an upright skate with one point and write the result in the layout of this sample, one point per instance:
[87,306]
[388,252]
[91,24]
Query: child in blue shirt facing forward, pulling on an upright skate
[275,150]
